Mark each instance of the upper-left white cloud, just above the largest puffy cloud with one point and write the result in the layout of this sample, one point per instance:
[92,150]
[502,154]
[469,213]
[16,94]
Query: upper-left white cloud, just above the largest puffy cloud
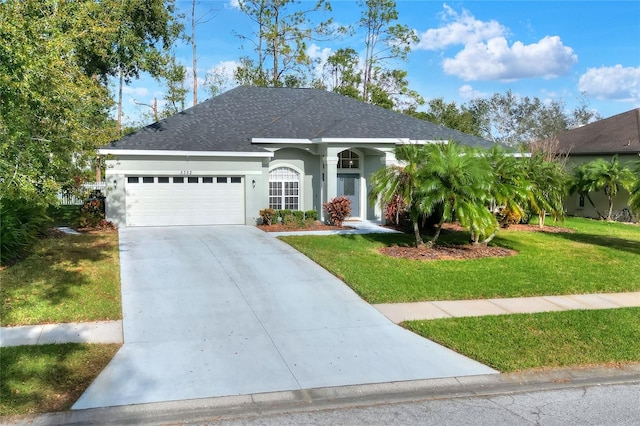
[463,29]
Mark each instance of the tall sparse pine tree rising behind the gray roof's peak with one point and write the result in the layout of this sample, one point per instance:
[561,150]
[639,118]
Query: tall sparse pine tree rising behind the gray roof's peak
[283,28]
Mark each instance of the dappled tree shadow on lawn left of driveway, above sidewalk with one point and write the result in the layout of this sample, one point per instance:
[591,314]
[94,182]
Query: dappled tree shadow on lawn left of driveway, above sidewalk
[53,270]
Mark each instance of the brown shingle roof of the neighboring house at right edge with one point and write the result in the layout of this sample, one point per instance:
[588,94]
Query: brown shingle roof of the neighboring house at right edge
[619,134]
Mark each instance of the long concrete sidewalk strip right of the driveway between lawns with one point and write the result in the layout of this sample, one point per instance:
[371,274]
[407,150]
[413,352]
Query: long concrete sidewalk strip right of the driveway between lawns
[398,312]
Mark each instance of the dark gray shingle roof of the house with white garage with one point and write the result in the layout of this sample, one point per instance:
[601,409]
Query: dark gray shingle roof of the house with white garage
[229,121]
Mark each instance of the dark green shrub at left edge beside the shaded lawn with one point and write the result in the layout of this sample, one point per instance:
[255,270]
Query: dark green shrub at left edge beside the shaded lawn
[21,223]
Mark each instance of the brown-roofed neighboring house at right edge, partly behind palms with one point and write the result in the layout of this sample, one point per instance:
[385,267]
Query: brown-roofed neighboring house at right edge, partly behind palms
[618,135]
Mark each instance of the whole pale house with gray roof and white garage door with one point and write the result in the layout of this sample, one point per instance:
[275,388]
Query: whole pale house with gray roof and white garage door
[224,160]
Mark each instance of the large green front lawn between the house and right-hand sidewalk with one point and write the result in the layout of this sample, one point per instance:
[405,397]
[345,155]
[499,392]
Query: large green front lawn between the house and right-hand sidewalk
[598,257]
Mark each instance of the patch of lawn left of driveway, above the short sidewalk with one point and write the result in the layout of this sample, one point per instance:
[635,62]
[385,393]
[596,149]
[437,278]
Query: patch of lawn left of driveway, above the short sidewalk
[70,278]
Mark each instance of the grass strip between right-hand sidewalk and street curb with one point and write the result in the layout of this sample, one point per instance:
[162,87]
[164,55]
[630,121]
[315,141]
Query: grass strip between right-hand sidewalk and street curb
[530,341]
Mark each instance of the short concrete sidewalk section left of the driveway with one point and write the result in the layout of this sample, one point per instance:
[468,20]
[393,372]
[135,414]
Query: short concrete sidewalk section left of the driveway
[88,332]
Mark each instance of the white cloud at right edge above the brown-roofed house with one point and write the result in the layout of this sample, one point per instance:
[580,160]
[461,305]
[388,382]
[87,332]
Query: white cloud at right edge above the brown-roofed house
[612,83]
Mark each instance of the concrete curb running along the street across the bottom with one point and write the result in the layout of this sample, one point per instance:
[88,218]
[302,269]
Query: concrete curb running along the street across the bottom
[256,405]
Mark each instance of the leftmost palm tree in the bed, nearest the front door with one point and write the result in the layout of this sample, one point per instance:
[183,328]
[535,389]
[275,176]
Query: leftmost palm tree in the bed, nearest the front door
[403,183]
